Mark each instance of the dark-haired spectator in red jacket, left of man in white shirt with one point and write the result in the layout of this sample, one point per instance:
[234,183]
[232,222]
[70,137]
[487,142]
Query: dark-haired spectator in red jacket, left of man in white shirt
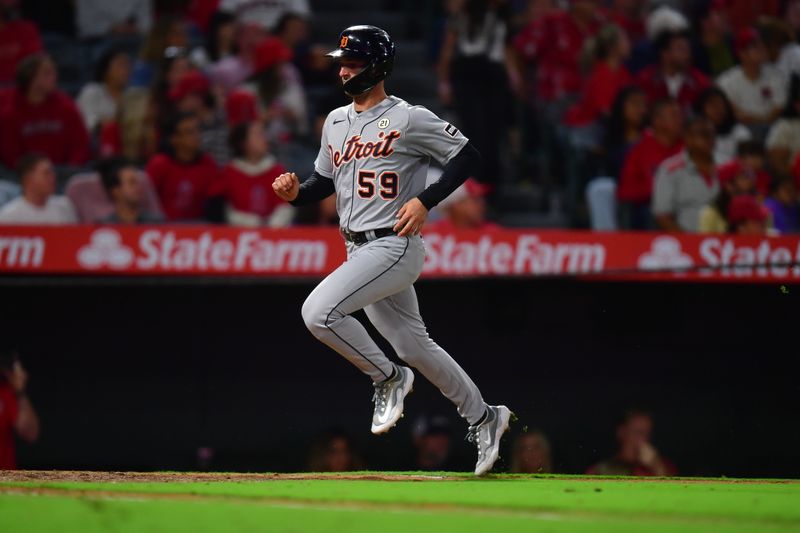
[673,76]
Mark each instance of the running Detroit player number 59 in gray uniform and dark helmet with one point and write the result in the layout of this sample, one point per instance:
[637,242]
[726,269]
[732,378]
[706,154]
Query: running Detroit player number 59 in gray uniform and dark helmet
[374,156]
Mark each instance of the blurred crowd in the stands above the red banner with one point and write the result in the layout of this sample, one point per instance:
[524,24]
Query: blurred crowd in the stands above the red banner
[641,114]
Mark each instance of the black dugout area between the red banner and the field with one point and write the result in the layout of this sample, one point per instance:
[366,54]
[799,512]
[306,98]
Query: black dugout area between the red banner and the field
[138,375]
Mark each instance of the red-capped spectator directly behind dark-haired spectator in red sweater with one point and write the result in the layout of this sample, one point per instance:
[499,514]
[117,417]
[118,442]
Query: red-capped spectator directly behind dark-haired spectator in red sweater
[192,94]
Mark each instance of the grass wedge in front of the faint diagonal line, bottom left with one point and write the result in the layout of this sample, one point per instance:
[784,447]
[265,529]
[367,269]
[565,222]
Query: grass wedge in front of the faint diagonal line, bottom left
[120,511]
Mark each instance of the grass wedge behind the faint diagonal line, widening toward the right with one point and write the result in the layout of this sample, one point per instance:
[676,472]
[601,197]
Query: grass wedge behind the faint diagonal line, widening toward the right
[773,503]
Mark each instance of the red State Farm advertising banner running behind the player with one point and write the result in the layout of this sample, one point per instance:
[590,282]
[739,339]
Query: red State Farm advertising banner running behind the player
[314,252]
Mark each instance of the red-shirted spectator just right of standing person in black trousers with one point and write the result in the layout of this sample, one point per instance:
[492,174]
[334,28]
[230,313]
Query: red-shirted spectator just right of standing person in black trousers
[554,43]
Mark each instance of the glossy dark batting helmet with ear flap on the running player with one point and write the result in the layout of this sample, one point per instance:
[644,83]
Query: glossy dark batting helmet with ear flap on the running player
[372,45]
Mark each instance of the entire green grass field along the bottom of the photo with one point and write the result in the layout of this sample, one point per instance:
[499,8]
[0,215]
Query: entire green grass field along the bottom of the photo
[385,503]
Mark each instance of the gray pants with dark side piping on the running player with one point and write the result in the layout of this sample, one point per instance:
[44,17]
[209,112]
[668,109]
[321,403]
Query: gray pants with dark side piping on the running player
[378,277]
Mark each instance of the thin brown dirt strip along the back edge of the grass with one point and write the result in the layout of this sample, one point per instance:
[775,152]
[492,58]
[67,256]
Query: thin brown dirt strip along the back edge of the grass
[70,476]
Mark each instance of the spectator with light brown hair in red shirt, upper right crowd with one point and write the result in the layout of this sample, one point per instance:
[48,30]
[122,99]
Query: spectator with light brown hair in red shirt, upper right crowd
[609,49]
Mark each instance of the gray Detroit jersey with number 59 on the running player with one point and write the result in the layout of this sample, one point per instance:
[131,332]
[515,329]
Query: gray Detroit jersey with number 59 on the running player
[378,159]
